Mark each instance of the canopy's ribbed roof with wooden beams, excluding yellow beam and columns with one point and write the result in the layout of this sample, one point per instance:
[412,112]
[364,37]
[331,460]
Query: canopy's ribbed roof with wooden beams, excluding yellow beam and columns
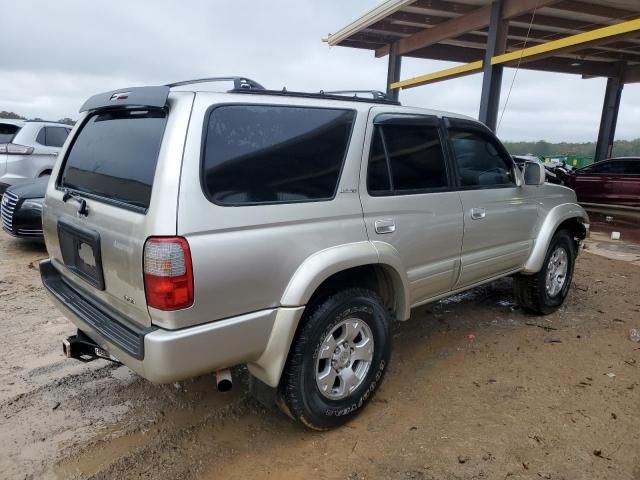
[459,31]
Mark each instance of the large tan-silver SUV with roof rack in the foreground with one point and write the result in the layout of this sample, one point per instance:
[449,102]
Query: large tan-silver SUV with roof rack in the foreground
[191,230]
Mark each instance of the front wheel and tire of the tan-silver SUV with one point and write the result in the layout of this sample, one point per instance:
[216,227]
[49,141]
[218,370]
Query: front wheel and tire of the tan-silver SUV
[544,292]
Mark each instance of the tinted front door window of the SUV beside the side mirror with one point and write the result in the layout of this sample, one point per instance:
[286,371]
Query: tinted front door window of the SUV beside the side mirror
[479,160]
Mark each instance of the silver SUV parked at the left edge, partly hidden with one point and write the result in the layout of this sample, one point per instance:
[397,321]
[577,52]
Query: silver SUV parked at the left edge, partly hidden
[28,149]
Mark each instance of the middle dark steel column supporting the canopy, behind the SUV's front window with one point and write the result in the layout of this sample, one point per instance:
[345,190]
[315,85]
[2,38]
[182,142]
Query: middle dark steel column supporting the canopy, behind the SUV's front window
[492,78]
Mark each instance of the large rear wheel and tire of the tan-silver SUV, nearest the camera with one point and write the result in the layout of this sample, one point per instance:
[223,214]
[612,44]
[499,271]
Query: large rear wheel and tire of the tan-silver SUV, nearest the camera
[338,359]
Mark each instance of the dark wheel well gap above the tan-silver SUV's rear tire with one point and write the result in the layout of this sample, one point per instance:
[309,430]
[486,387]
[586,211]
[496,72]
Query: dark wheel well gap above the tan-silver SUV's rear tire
[377,278]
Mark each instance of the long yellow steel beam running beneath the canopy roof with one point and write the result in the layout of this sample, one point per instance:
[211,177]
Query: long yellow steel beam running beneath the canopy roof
[549,49]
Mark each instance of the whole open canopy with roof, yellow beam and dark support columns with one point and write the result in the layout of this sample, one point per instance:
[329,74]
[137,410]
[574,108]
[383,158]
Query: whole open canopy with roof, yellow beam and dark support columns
[592,38]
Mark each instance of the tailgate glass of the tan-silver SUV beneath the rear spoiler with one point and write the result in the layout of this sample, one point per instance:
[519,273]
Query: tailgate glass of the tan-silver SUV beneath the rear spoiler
[114,156]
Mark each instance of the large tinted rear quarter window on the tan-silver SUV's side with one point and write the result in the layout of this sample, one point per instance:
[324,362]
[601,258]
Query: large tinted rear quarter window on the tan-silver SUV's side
[256,154]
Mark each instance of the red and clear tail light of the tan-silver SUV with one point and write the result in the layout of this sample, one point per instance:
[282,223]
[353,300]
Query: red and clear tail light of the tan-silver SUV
[168,273]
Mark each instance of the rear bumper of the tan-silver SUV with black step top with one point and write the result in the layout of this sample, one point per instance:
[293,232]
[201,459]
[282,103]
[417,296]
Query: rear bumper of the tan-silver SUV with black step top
[160,355]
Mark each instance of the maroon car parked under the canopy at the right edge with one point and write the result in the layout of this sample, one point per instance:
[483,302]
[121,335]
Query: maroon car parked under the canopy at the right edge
[613,181]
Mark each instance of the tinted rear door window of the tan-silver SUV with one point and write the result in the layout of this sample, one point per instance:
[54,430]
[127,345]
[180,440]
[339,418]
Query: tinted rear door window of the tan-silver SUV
[415,160]
